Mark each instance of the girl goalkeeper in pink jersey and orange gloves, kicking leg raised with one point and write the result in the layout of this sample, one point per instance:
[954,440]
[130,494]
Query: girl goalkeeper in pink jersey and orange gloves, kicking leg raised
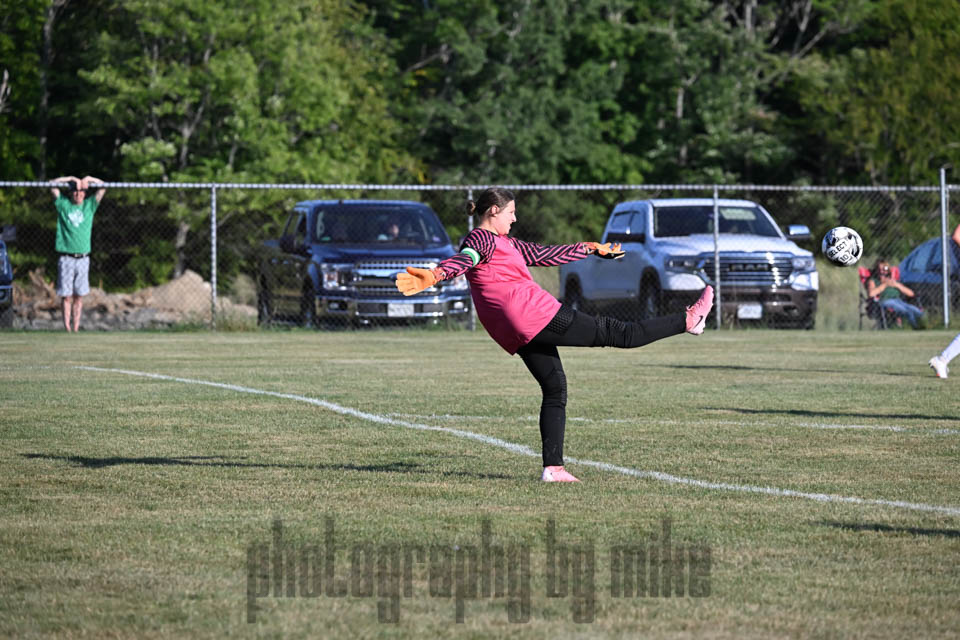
[524,319]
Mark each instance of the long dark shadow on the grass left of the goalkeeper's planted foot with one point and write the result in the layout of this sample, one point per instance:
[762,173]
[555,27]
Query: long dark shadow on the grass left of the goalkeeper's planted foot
[221,461]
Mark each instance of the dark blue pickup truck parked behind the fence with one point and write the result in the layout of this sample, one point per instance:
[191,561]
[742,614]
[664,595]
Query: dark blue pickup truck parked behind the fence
[336,262]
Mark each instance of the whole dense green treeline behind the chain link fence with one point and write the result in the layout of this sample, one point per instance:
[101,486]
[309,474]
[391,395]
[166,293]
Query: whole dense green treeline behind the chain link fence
[476,92]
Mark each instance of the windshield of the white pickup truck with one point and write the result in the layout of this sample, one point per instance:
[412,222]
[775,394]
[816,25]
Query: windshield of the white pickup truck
[690,220]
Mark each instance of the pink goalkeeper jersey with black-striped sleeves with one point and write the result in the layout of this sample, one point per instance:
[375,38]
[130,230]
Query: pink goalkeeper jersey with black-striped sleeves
[511,306]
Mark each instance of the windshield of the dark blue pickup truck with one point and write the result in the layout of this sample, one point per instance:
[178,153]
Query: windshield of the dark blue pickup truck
[378,225]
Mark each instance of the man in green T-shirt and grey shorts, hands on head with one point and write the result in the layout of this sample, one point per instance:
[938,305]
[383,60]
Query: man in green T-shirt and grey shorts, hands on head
[74,224]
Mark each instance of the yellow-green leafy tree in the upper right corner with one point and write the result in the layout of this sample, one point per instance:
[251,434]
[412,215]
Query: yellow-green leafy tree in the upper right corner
[888,102]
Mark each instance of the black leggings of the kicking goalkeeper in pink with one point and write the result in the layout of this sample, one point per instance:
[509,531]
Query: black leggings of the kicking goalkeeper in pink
[570,328]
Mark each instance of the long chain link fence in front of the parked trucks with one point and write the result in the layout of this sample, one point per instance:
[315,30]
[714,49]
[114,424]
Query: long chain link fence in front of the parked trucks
[239,256]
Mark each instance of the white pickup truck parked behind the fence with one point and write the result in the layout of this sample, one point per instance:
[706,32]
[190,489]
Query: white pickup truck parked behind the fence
[671,251]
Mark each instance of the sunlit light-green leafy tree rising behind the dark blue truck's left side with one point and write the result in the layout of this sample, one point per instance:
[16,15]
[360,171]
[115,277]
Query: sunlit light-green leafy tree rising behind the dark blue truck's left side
[253,91]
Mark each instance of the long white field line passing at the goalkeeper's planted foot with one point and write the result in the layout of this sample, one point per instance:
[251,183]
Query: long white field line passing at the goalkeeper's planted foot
[527,451]
